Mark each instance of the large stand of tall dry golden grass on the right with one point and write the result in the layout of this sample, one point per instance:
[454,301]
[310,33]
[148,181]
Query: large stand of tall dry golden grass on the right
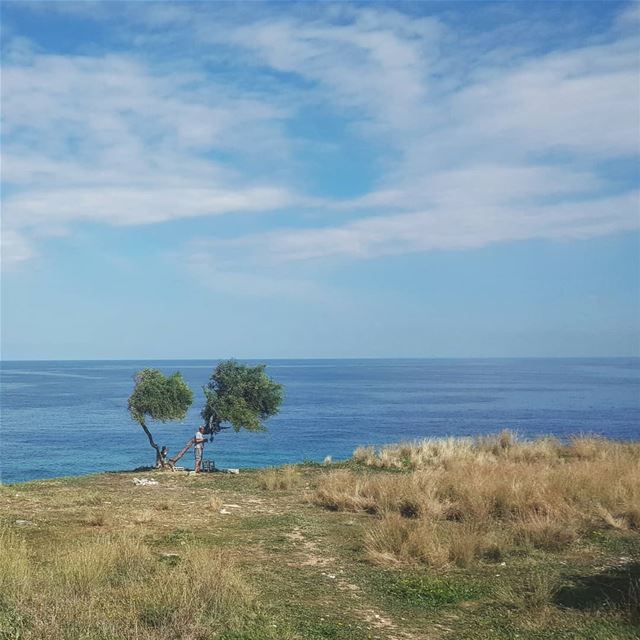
[462,499]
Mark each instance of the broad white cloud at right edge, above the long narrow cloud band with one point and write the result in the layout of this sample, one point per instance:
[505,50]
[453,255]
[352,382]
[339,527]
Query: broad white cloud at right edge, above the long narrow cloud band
[583,101]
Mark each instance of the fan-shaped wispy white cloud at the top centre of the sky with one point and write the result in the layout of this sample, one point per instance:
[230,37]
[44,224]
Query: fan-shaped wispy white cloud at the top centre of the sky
[376,65]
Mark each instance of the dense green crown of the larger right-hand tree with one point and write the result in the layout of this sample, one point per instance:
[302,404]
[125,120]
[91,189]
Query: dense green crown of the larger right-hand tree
[242,395]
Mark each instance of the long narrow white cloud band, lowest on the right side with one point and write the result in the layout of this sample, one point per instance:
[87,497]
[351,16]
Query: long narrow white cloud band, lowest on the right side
[452,226]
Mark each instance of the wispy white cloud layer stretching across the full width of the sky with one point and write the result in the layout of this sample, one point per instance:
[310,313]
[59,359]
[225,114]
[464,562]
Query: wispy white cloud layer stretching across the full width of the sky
[472,144]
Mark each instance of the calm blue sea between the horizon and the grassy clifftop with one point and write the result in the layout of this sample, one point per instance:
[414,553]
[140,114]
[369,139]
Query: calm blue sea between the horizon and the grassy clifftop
[69,418]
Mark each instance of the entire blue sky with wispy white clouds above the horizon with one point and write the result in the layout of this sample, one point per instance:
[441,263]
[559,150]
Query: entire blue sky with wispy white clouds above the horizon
[291,180]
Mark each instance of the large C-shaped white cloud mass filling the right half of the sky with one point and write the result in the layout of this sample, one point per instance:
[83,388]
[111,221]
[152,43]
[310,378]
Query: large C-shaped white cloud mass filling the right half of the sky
[468,159]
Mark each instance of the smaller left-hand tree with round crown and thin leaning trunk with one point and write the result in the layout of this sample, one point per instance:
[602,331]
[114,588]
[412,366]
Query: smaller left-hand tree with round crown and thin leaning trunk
[160,398]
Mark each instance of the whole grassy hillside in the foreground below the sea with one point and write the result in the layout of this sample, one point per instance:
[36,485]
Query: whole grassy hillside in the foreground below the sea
[487,538]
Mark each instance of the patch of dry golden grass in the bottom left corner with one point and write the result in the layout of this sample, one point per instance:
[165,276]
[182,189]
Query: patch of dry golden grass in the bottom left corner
[115,586]
